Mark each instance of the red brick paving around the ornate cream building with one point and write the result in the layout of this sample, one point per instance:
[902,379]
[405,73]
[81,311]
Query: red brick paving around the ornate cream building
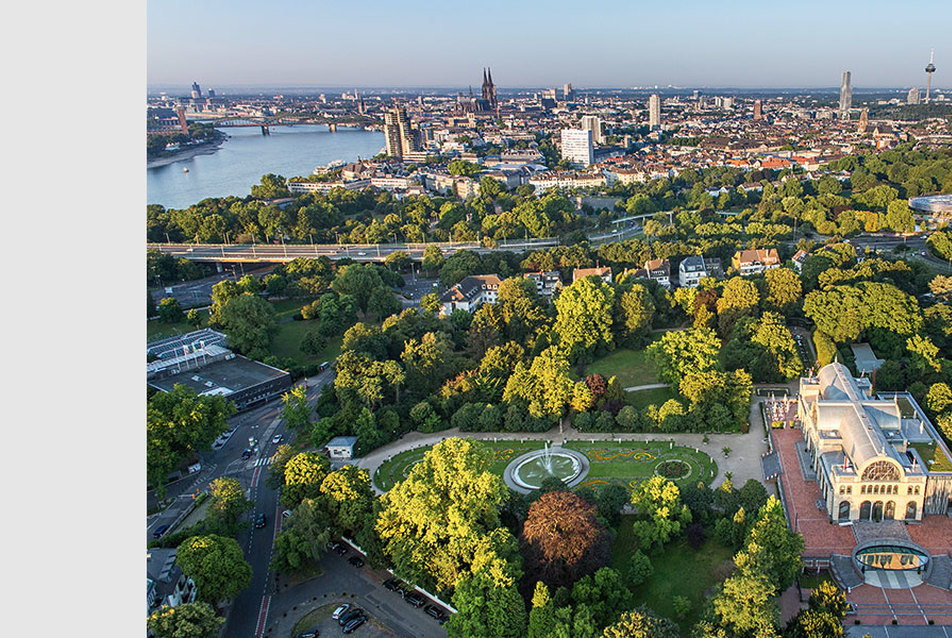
[875,606]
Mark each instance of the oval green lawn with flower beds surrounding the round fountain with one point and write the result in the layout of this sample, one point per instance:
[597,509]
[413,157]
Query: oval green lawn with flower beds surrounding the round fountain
[609,462]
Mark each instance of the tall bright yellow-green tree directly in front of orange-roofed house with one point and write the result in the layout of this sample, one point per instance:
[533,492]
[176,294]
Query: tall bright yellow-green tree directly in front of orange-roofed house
[584,318]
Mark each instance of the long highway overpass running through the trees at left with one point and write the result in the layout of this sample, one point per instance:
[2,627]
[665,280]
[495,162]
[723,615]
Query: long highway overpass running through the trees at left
[275,253]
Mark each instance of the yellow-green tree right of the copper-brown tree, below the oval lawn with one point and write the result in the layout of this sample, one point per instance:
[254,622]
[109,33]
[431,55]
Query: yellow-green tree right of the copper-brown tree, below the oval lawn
[661,516]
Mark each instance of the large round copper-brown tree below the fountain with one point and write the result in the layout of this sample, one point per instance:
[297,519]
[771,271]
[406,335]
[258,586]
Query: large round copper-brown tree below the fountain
[562,539]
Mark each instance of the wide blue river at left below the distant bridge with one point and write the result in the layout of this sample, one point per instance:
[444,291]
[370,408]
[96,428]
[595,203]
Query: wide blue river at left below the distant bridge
[246,155]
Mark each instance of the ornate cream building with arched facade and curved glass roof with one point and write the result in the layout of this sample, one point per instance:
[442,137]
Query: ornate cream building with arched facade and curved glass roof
[864,449]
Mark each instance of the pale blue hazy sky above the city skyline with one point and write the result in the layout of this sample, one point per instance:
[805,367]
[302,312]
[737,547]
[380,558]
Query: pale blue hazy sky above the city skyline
[591,43]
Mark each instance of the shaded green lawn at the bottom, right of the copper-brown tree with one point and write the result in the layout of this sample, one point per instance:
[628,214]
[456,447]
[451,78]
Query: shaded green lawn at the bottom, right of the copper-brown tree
[679,570]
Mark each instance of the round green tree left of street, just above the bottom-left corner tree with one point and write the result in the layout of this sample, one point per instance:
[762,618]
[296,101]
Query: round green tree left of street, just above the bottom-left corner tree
[216,565]
